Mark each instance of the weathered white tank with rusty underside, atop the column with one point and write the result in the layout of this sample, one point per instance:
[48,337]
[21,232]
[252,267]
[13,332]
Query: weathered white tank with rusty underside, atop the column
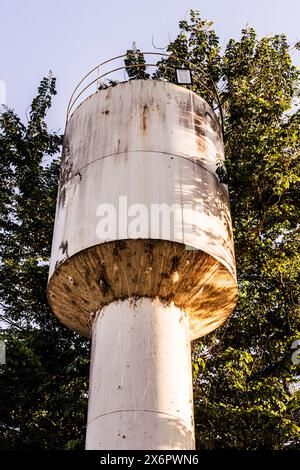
[156,143]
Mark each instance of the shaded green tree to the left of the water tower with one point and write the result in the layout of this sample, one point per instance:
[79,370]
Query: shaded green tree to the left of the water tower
[43,386]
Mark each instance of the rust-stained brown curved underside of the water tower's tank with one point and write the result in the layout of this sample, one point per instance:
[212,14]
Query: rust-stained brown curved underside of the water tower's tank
[192,279]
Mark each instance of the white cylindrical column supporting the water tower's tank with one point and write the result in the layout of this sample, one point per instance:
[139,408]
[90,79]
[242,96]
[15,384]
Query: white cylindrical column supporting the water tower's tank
[140,378]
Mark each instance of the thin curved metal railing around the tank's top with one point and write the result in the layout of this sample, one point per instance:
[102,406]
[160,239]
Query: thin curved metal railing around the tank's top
[197,70]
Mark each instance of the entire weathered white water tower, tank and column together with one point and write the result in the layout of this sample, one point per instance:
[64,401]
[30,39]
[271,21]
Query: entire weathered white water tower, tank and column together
[142,256]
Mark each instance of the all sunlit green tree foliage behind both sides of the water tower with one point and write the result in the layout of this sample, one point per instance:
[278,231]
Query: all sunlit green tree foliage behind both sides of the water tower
[245,383]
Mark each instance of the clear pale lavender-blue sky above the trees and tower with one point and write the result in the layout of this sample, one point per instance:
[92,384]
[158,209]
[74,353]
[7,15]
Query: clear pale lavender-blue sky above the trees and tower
[71,36]
